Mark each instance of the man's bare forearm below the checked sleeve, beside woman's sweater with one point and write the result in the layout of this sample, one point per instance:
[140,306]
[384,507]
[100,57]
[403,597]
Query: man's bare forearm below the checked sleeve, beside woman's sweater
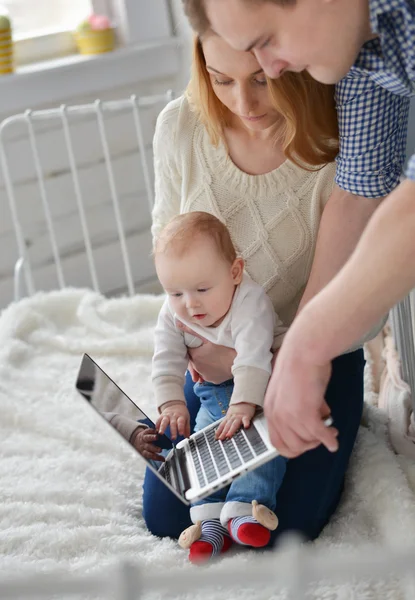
[344,218]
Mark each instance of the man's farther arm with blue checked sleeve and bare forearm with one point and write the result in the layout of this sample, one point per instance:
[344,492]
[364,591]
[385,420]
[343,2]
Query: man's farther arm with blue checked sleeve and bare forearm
[372,129]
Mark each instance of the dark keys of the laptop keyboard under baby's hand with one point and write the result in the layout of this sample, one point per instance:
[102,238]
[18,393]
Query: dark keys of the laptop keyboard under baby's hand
[224,456]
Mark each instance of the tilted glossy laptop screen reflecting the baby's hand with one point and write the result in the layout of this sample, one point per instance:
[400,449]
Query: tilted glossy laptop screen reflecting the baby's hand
[125,417]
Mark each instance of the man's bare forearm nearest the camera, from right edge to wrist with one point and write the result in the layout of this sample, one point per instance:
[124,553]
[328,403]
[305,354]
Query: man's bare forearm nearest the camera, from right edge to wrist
[379,273]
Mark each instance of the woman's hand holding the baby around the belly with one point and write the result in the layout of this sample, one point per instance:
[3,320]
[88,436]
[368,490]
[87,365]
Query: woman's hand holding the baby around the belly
[209,362]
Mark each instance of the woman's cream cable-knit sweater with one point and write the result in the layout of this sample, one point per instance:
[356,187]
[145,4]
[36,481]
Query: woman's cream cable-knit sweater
[273,219]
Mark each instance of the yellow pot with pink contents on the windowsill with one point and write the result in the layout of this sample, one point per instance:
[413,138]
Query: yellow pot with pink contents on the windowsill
[95,35]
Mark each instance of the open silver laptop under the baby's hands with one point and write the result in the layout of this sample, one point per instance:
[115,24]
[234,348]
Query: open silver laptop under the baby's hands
[193,468]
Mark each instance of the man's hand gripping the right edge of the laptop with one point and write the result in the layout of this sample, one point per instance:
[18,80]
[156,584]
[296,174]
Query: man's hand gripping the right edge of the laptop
[294,405]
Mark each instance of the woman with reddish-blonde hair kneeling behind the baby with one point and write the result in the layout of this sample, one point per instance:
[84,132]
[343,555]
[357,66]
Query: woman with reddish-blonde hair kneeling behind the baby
[251,151]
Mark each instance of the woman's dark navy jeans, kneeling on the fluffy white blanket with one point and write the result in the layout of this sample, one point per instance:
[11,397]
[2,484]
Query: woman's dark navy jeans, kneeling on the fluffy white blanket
[313,482]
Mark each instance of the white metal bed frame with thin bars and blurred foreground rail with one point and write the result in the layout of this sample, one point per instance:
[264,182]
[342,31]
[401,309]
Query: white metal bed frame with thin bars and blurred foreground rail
[297,565]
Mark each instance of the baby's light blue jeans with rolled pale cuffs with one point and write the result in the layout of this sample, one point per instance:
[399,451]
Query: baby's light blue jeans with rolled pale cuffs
[261,484]
